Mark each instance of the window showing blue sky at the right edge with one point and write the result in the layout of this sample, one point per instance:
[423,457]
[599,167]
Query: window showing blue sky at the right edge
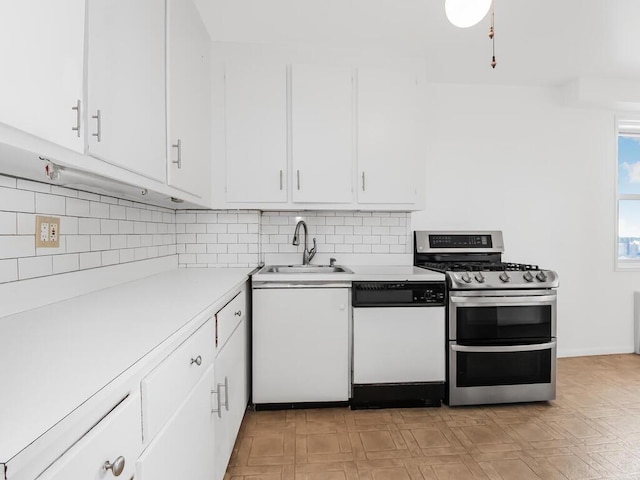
[628,194]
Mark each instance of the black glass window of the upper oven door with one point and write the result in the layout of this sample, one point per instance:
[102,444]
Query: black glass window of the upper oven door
[501,324]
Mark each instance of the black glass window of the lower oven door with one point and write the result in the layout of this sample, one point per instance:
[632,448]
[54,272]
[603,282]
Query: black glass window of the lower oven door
[503,368]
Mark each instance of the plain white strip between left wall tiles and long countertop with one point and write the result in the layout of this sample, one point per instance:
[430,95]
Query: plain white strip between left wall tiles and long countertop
[37,292]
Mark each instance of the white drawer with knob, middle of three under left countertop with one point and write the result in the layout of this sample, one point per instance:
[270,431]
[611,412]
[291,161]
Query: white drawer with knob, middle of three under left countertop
[166,387]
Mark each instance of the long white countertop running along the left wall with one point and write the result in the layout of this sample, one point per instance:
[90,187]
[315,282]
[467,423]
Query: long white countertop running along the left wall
[54,358]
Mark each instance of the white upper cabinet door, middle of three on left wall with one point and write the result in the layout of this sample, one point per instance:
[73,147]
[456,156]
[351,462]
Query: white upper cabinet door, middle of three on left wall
[126,86]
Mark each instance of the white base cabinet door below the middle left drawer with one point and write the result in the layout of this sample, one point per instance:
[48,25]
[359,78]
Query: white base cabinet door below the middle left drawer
[183,449]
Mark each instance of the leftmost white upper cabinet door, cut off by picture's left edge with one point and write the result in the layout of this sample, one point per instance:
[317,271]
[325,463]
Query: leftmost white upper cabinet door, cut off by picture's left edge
[42,51]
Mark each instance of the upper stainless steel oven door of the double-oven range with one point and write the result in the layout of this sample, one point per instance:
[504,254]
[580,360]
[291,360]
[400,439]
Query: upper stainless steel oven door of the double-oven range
[502,317]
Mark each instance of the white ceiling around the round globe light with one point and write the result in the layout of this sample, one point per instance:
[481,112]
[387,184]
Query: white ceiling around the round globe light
[538,42]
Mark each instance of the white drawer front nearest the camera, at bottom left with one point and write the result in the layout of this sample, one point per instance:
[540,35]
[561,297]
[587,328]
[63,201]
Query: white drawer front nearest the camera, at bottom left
[116,435]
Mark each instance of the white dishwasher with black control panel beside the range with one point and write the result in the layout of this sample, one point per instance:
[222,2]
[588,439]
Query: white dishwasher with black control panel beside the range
[398,344]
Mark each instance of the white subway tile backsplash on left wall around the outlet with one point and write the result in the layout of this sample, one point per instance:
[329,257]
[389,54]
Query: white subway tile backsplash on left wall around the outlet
[94,230]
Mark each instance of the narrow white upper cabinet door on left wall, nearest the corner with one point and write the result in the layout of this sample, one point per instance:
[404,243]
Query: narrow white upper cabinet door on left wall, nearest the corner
[189,99]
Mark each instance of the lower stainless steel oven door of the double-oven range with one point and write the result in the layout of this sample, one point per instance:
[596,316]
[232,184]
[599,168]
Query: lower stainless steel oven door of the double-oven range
[501,374]
